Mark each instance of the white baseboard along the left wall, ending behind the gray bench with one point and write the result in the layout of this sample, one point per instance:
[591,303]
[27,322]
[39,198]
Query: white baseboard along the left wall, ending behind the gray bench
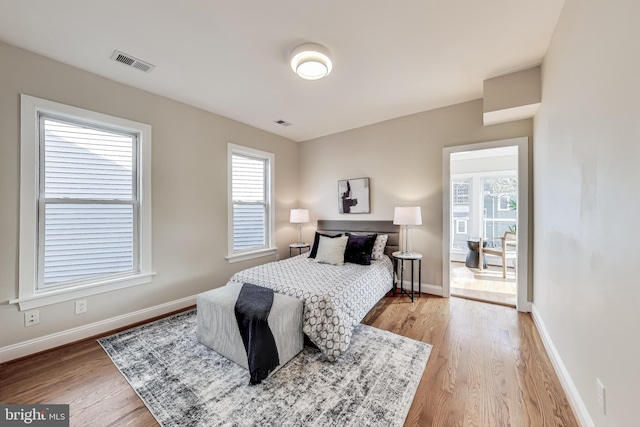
[36,345]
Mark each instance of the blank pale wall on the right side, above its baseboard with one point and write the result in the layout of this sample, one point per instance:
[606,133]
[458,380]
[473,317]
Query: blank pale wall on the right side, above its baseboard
[587,199]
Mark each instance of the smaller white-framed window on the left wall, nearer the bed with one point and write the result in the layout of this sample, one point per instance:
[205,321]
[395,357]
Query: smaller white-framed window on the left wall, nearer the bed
[251,220]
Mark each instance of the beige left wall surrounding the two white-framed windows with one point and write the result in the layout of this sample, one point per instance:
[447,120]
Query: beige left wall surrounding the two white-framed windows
[189,190]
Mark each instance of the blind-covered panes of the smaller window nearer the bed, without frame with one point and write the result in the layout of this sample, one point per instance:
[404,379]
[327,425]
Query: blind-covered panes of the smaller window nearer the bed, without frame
[250,186]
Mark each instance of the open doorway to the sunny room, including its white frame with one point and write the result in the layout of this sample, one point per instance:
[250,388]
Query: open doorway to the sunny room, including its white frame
[485,211]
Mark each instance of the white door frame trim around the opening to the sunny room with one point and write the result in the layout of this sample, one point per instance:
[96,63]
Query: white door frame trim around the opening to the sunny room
[522,266]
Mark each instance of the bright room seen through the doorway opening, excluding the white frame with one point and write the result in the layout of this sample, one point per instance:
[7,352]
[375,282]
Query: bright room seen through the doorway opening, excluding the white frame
[484,212]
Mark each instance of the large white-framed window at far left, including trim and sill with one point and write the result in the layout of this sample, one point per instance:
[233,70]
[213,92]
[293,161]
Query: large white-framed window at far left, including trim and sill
[85,222]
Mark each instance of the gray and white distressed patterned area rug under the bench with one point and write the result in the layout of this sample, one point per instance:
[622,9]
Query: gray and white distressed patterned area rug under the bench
[184,383]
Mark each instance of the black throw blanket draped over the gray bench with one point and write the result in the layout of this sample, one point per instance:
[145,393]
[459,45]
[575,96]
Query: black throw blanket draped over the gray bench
[252,310]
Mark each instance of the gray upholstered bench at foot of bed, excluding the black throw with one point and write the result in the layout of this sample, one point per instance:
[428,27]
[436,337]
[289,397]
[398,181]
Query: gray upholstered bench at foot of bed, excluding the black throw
[218,329]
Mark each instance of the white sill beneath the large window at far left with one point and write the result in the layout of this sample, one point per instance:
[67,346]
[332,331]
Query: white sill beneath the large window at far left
[61,295]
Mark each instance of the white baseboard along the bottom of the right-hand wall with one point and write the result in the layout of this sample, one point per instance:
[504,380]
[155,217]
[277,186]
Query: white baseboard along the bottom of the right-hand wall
[563,374]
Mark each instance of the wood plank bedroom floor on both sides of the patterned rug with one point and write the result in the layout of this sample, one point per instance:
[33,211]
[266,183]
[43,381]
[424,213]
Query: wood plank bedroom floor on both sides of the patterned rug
[488,367]
